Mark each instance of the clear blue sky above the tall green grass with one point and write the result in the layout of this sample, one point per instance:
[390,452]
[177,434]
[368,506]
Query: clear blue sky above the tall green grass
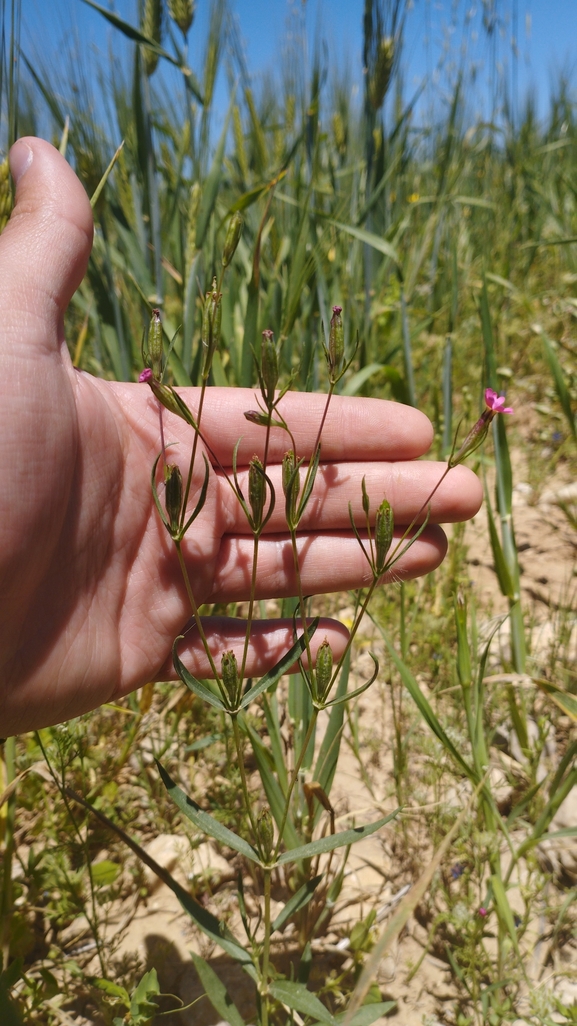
[546,33]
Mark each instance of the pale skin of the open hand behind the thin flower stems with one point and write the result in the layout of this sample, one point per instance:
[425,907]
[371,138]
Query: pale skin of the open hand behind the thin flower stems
[91,593]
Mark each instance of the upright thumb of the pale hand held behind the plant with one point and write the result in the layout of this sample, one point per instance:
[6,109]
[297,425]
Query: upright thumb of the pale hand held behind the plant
[46,247]
